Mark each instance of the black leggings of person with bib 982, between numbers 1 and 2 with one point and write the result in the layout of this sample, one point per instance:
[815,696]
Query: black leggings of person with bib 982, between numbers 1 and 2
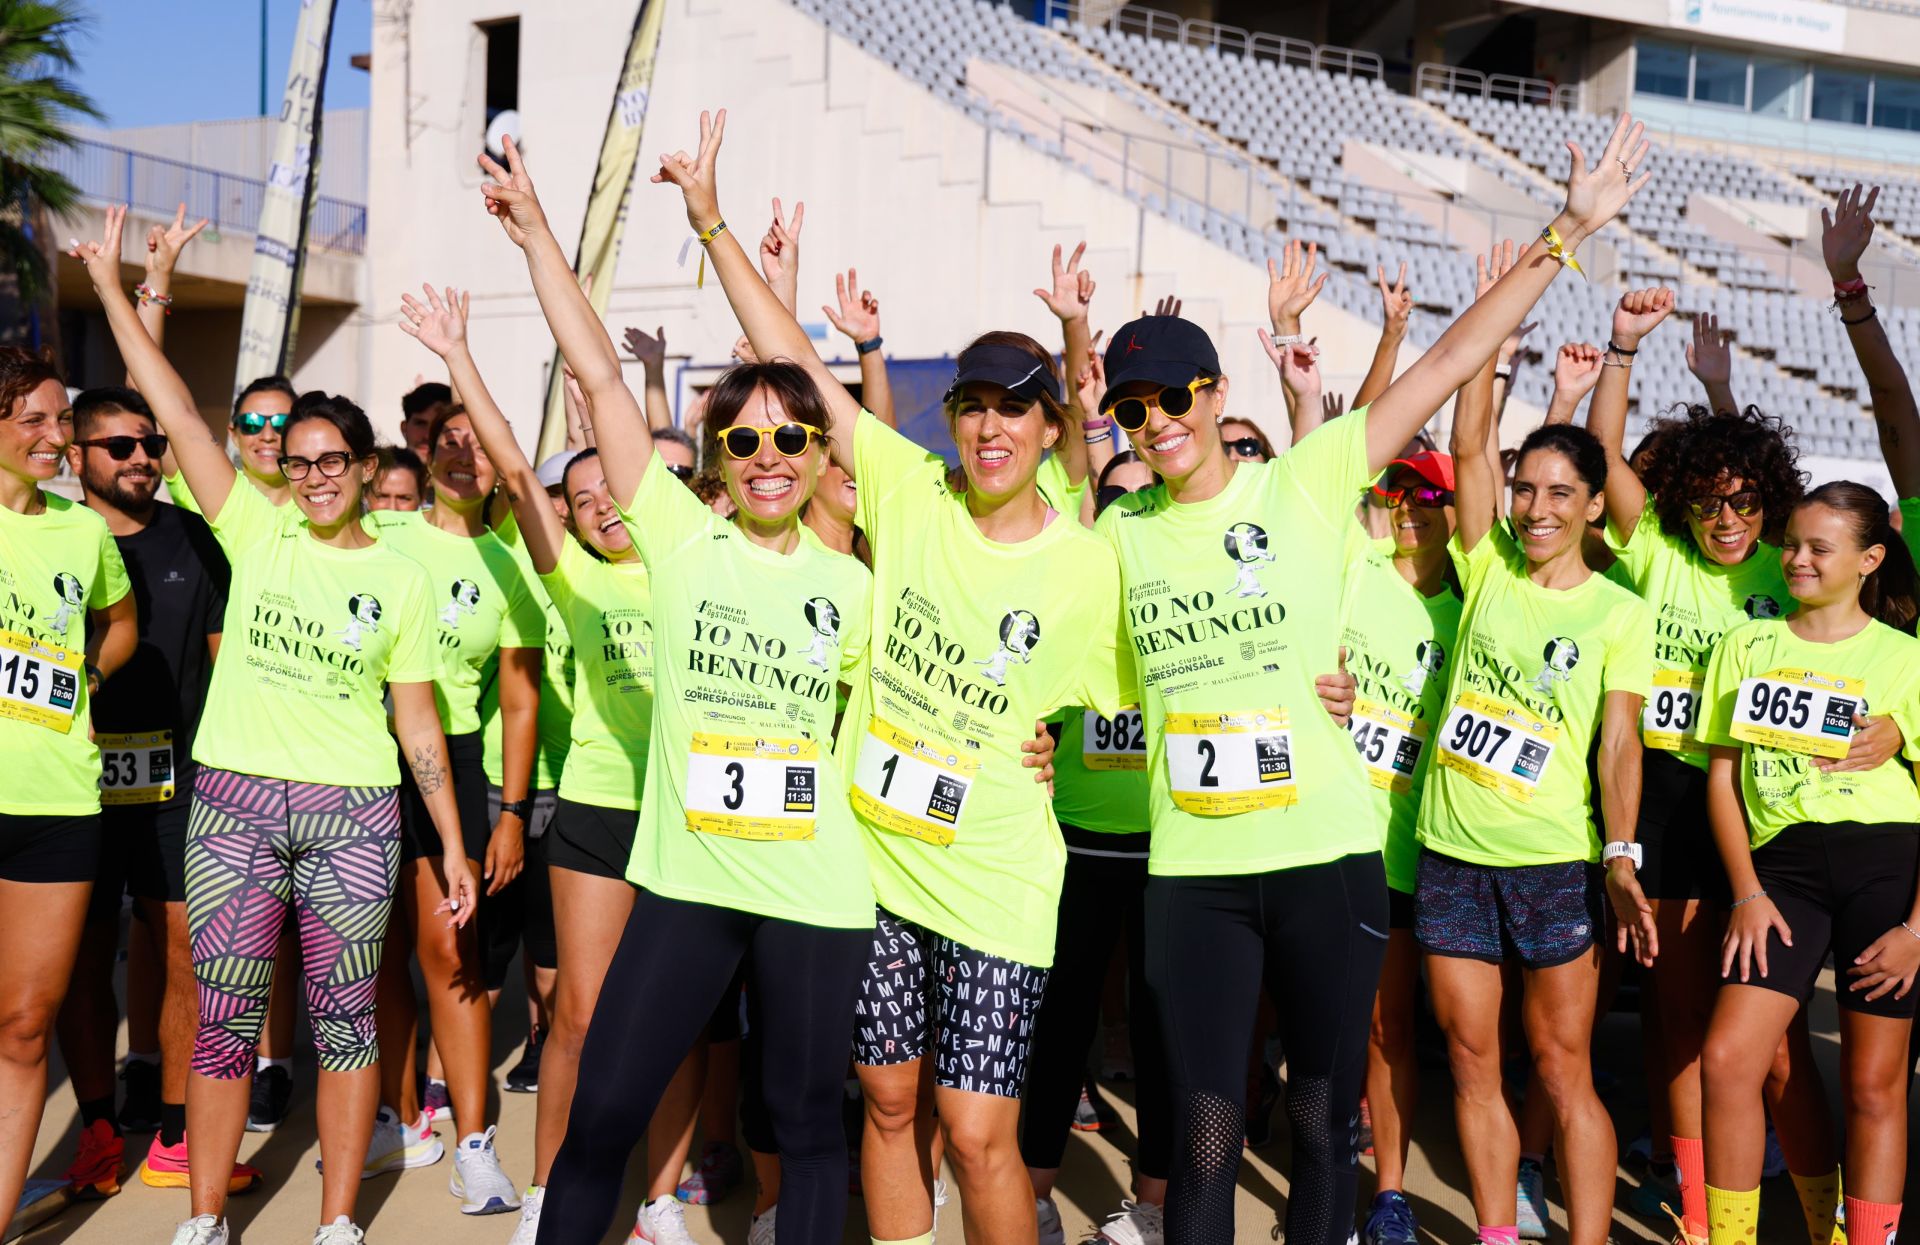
[1097,896]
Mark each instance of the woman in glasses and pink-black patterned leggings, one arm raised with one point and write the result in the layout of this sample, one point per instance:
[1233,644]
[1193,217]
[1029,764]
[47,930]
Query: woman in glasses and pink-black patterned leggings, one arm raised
[297,796]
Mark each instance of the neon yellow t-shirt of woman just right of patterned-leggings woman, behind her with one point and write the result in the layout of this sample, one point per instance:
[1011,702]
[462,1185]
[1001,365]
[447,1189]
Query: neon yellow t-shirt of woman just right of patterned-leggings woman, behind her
[485,602]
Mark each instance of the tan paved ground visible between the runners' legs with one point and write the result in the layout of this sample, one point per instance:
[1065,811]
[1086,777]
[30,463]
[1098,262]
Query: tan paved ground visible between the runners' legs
[416,1206]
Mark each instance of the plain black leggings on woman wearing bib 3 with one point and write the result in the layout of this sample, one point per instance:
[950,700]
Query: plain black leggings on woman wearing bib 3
[671,969]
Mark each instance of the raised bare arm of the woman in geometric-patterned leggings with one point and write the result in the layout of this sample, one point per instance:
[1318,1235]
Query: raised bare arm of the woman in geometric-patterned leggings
[203,462]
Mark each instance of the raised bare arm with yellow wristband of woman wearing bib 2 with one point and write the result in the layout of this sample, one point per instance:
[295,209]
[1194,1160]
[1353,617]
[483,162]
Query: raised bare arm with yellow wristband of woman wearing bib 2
[1595,197]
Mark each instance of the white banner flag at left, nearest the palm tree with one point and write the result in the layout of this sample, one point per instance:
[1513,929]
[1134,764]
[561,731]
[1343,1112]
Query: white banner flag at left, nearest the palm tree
[279,247]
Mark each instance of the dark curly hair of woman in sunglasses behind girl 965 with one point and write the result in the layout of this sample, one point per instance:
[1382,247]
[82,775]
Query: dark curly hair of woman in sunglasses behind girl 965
[1712,447]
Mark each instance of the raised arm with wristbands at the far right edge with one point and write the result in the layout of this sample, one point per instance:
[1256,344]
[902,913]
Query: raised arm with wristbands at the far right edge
[1844,239]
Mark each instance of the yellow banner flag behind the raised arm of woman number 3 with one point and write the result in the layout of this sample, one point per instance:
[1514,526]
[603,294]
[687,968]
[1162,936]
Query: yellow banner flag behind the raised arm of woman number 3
[613,182]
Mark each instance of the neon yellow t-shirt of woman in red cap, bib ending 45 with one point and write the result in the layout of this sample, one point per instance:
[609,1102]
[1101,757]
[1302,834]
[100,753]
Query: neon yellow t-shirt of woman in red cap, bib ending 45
[1401,656]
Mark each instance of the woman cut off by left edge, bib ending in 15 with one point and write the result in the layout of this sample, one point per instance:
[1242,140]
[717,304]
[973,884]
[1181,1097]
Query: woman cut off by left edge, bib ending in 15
[62,575]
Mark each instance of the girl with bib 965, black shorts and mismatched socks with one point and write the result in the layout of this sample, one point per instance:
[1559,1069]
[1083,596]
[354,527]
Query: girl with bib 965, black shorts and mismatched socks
[1821,862]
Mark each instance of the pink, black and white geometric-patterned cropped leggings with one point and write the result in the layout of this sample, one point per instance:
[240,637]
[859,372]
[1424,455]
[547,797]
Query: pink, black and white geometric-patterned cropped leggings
[254,846]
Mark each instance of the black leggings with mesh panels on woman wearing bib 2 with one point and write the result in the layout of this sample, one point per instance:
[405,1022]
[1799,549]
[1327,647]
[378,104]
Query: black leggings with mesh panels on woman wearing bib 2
[1316,937]
